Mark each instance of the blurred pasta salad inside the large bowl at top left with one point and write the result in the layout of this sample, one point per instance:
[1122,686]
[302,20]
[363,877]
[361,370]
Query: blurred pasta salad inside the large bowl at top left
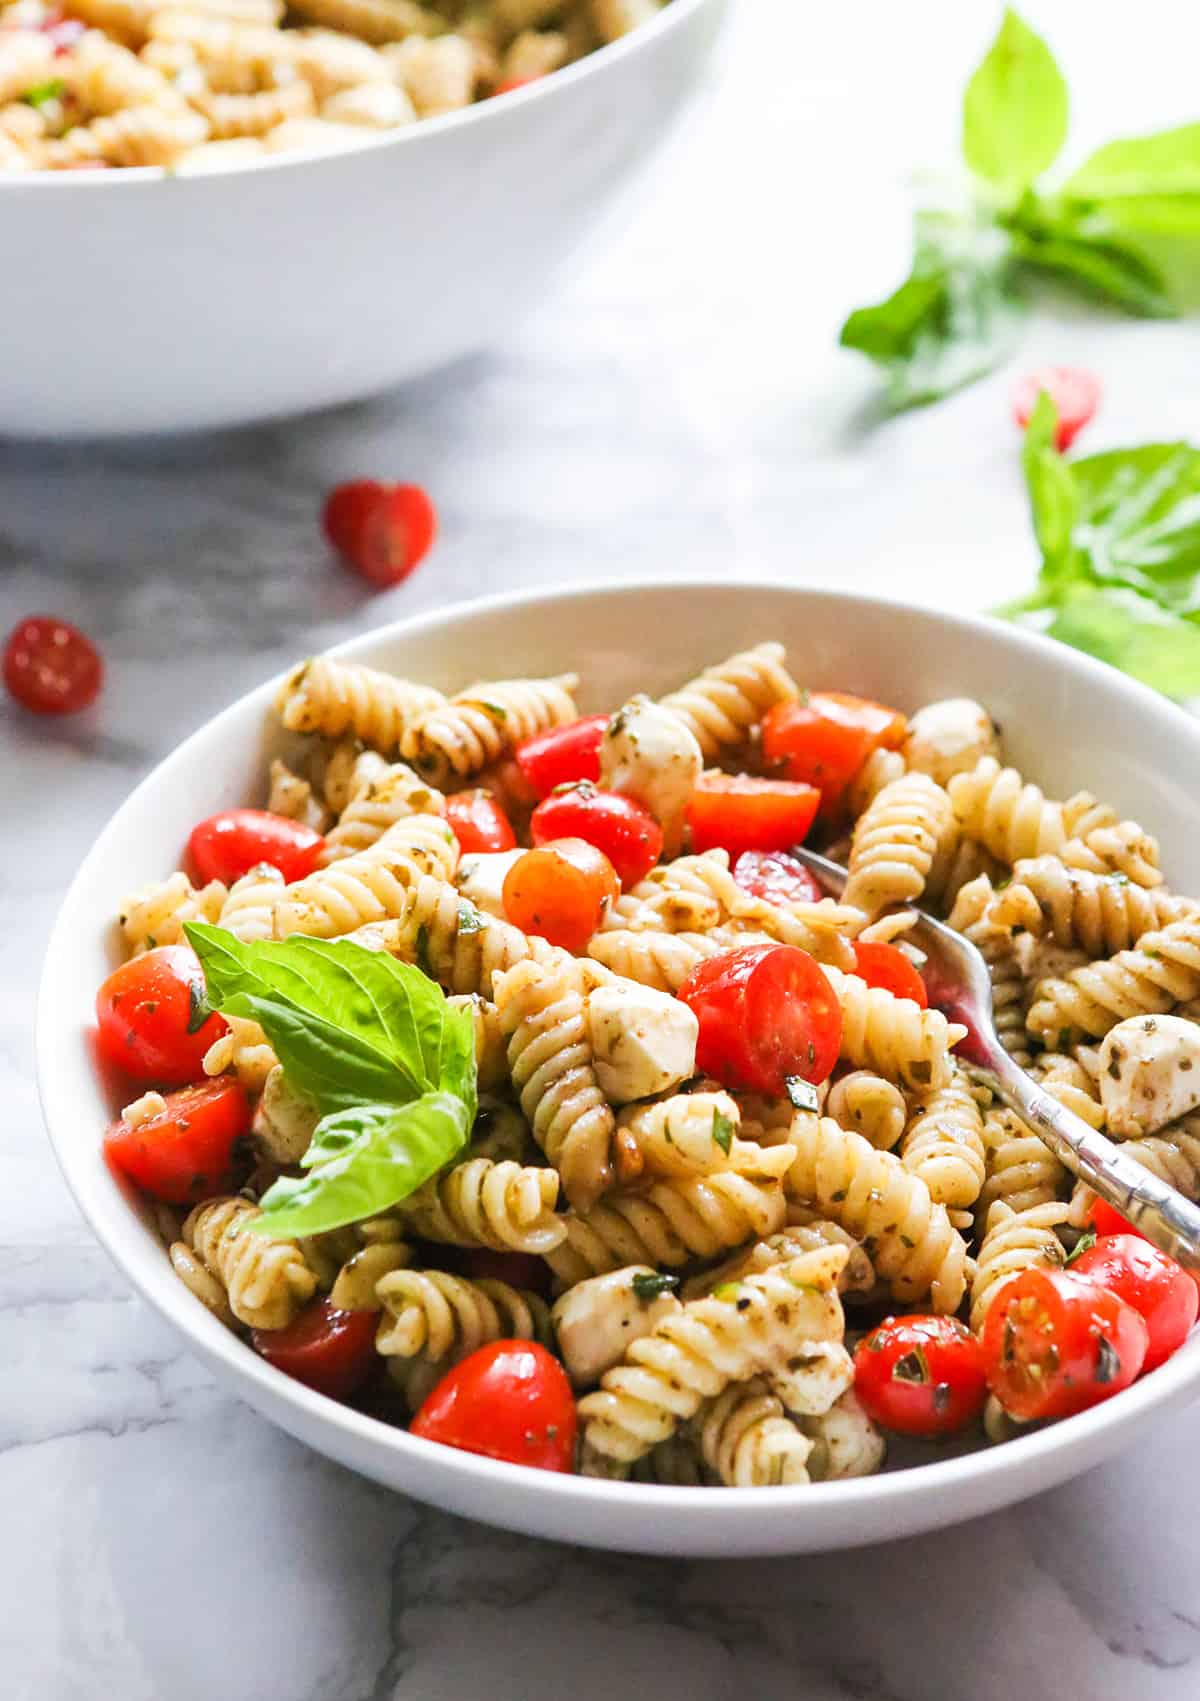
[205,86]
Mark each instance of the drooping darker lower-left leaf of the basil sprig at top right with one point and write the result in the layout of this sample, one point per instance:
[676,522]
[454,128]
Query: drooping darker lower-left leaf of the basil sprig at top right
[952,321]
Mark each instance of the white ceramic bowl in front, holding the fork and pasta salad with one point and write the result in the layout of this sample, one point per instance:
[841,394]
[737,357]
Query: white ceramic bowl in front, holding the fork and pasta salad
[1068,722]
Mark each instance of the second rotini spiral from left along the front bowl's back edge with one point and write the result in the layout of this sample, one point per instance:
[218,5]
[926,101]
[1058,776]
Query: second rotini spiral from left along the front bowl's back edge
[481,725]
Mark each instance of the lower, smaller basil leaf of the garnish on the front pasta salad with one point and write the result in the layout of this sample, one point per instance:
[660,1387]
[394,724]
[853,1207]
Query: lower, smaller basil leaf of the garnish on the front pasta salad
[365,1161]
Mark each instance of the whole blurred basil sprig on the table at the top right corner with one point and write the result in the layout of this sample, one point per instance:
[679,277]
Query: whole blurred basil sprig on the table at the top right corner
[1124,230]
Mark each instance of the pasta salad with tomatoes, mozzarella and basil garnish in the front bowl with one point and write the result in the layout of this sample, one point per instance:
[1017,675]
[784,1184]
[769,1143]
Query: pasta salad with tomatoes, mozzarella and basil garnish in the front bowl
[508,1078]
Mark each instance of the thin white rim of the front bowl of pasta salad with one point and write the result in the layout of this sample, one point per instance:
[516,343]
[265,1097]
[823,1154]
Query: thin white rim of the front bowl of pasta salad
[1169,1387]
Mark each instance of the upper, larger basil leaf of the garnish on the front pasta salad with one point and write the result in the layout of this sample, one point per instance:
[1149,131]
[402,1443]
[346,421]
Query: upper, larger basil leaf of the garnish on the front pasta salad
[351,1027]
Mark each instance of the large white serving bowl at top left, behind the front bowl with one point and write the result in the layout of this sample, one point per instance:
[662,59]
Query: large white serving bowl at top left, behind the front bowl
[137,302]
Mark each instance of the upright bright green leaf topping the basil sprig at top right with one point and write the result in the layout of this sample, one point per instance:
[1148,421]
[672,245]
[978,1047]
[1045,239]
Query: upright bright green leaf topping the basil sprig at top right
[1015,110]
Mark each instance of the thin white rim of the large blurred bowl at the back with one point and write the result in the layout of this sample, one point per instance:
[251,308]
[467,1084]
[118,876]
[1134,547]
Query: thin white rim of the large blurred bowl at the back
[593,64]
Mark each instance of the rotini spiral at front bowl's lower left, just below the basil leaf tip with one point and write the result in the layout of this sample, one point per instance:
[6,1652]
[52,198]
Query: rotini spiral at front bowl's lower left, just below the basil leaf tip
[266,1282]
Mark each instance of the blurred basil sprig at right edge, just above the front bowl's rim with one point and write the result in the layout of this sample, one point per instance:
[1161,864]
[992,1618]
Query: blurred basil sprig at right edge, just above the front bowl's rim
[1121,555]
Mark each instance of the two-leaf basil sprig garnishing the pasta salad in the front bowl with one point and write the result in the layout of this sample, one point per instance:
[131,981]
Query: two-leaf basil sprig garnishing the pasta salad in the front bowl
[375,1045]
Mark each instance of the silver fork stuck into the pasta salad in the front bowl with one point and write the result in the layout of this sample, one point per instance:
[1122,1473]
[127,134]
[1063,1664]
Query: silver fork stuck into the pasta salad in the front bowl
[959,986]
